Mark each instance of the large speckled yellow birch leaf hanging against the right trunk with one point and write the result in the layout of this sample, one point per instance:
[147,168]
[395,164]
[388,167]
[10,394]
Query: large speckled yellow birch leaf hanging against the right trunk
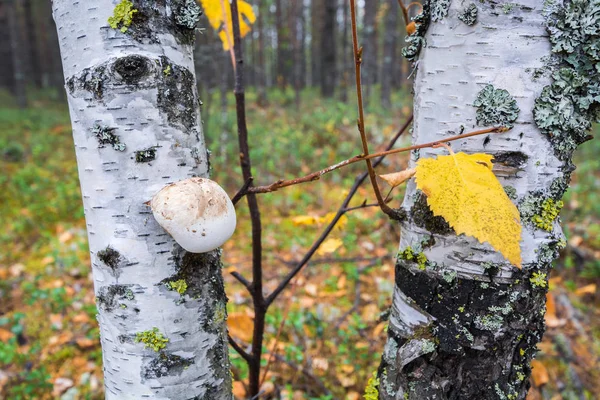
[463,190]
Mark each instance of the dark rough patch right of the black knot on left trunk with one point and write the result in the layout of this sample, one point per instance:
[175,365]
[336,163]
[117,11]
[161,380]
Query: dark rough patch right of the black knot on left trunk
[176,96]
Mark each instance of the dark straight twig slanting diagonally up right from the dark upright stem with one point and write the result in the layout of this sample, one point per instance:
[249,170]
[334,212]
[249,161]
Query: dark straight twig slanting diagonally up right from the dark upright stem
[357,182]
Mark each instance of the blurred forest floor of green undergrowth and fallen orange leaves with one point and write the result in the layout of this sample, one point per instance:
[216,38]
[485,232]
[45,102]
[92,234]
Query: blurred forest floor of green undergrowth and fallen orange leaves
[331,335]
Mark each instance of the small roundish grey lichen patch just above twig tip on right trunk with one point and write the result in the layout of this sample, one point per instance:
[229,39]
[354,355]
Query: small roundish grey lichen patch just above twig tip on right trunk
[496,107]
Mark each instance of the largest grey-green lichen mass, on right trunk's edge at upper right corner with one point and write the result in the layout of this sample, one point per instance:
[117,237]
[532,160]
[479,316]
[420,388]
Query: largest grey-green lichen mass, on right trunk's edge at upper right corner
[566,108]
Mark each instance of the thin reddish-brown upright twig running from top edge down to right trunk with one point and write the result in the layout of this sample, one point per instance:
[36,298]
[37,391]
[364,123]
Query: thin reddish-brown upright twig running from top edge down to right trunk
[361,117]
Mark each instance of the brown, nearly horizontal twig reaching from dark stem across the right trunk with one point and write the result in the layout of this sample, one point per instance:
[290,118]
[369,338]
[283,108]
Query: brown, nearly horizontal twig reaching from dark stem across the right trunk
[317,174]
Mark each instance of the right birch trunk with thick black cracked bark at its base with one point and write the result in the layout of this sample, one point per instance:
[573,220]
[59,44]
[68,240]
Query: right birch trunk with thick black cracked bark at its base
[465,323]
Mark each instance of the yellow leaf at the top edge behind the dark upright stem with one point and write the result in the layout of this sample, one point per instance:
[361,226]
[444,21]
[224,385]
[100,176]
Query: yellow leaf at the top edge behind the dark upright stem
[218,11]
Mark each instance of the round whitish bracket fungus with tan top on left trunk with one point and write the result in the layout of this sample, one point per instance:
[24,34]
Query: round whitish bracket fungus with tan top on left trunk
[196,212]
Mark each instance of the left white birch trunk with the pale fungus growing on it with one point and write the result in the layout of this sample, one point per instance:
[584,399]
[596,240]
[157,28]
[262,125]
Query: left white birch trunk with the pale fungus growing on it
[136,125]
